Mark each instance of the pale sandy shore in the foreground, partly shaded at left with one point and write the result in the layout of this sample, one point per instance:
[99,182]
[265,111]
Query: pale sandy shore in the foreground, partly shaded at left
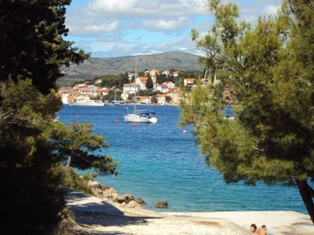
[96,216]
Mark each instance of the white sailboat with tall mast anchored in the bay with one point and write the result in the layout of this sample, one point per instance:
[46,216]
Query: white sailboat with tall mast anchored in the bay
[139,116]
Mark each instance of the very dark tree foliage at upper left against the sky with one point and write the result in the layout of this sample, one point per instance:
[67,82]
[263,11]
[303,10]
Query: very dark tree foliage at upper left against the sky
[31,45]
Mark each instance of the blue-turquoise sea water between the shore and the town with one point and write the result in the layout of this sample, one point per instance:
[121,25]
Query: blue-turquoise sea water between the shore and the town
[160,162]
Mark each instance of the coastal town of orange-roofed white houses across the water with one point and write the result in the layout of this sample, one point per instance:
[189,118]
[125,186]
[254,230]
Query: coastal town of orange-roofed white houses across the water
[166,92]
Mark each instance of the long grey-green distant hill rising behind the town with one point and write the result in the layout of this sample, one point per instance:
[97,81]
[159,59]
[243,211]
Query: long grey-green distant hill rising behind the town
[116,65]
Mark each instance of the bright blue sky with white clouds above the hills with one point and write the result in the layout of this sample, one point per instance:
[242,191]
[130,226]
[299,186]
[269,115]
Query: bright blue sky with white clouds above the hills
[114,28]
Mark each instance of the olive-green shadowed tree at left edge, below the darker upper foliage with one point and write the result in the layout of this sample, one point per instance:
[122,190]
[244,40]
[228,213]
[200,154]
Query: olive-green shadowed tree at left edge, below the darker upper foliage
[33,203]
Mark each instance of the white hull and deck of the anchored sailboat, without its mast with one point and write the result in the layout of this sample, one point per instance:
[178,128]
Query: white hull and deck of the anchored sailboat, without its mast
[141,116]
